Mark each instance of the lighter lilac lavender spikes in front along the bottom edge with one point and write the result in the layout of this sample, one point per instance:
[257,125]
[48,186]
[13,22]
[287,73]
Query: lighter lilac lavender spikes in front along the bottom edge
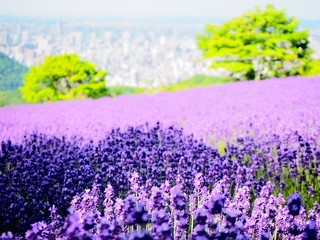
[216,218]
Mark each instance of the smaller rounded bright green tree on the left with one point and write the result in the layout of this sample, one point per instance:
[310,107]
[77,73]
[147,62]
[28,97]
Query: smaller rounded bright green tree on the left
[63,77]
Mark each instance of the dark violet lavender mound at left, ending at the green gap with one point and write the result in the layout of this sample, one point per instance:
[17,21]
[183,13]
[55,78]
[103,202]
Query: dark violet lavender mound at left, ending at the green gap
[43,171]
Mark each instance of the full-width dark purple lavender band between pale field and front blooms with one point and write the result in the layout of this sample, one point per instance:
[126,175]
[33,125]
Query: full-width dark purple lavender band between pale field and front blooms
[44,171]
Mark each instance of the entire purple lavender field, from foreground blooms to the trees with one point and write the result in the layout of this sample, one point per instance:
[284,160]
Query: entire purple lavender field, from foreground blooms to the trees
[236,161]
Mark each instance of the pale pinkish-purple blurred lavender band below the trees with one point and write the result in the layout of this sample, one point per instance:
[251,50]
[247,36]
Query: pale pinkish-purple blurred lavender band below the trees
[212,113]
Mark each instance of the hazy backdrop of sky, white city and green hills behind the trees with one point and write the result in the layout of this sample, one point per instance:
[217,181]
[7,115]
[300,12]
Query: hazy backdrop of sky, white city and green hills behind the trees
[142,44]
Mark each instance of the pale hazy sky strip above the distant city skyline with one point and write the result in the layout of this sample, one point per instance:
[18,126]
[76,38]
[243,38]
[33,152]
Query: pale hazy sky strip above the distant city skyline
[302,9]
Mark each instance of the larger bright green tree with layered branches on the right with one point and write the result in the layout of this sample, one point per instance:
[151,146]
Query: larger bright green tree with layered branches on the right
[257,45]
